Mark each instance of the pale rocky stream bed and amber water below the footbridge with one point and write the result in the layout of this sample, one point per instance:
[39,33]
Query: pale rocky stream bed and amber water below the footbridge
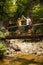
[23,52]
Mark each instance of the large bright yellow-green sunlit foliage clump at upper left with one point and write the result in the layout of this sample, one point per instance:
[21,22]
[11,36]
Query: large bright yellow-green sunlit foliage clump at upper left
[9,7]
